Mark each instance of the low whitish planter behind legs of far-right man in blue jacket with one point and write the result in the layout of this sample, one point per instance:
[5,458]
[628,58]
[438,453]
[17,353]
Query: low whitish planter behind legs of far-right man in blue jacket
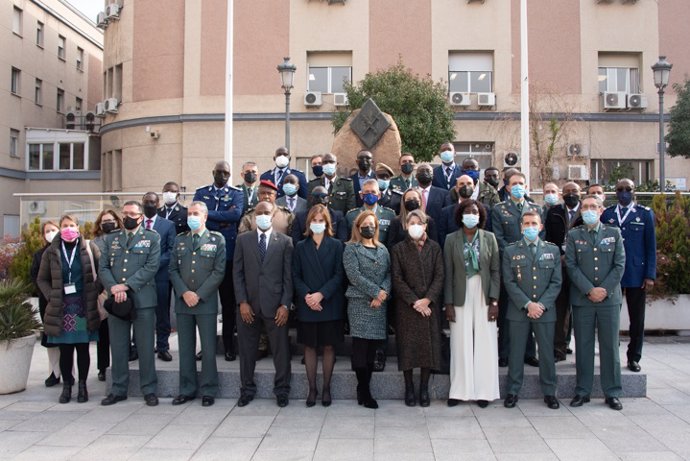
[663,314]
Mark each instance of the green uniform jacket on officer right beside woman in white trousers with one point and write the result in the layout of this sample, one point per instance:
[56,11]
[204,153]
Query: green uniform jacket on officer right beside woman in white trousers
[532,278]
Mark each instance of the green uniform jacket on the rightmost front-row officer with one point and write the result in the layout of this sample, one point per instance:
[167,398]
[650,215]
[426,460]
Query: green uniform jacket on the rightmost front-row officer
[595,260]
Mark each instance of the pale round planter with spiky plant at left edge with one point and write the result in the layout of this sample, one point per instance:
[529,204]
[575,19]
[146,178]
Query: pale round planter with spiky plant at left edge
[15,362]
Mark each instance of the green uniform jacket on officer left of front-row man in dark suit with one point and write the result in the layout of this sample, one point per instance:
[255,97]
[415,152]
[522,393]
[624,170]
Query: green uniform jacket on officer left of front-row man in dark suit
[199,269]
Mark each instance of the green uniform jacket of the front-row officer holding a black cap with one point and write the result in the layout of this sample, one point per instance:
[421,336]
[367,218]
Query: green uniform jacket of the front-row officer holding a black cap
[135,264]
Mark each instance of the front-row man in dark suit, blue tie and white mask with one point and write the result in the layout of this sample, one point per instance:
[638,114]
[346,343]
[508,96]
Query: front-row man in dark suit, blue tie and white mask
[263,288]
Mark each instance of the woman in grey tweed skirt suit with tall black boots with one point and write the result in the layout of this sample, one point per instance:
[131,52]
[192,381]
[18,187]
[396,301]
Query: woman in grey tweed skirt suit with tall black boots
[367,265]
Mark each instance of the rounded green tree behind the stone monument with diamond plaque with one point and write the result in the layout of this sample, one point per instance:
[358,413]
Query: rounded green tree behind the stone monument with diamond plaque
[418,105]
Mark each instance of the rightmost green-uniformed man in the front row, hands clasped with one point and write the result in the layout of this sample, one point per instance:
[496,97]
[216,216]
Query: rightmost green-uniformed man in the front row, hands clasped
[595,260]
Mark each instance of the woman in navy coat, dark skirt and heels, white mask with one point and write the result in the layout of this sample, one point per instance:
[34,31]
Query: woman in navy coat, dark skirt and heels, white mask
[317,274]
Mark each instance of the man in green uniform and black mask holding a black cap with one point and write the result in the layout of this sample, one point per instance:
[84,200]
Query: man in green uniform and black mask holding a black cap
[127,270]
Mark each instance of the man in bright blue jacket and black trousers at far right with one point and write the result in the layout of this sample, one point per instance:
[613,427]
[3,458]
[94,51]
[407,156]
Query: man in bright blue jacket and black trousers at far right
[636,223]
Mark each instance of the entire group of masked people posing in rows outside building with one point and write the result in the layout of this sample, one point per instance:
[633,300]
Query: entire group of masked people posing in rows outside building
[368,254]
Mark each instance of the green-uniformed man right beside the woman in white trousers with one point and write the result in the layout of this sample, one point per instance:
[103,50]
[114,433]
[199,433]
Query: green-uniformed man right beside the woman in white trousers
[532,277]
